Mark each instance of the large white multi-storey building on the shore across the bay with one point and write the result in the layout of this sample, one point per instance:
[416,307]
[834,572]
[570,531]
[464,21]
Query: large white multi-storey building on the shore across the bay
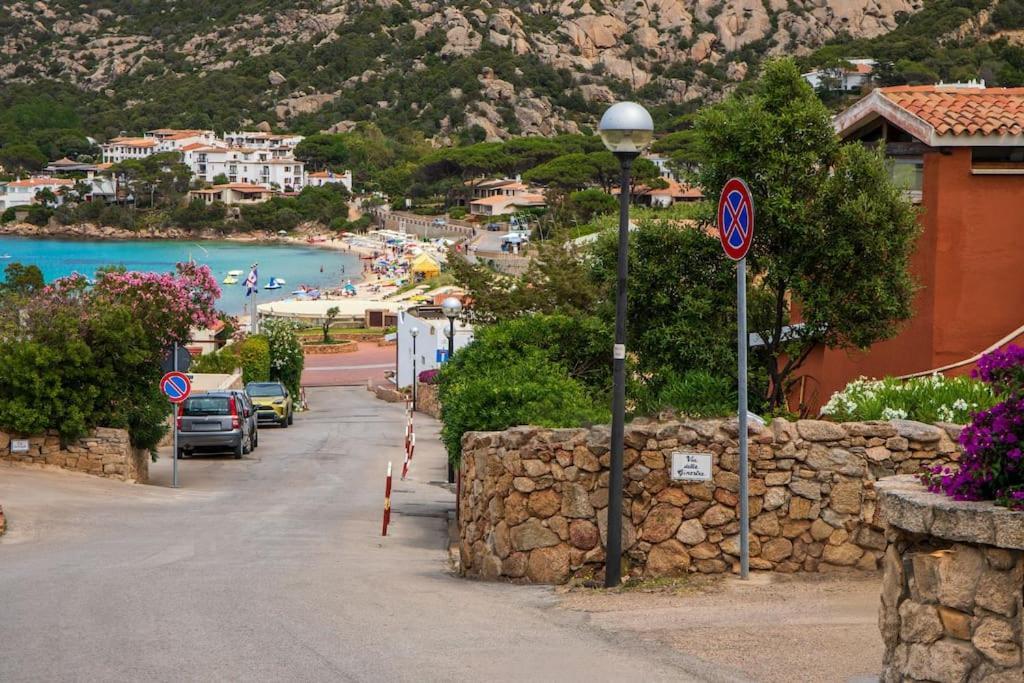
[245,165]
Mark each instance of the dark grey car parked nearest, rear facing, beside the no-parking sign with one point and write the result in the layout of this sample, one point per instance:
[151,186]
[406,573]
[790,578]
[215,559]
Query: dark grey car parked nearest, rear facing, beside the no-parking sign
[212,422]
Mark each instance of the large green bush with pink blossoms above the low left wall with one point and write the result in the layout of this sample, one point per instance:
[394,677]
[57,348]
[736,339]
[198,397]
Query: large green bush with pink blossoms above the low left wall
[87,355]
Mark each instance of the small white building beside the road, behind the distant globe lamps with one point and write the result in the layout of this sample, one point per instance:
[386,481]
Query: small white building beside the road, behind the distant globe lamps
[431,324]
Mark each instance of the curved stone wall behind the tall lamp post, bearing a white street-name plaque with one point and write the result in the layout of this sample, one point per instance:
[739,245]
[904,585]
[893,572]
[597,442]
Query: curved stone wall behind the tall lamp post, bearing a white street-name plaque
[534,505]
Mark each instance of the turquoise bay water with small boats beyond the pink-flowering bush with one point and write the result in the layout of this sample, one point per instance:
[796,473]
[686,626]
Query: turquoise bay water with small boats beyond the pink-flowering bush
[297,265]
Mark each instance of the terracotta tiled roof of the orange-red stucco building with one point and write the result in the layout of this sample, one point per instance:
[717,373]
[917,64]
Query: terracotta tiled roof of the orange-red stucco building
[963,111]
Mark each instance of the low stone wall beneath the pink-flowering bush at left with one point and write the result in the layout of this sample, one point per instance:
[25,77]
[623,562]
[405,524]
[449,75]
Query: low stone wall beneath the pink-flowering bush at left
[106,453]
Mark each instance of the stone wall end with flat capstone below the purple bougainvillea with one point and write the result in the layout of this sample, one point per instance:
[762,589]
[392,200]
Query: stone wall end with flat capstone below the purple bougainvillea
[953,591]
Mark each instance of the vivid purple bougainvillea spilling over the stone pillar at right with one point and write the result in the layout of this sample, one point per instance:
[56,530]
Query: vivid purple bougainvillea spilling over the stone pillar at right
[993,464]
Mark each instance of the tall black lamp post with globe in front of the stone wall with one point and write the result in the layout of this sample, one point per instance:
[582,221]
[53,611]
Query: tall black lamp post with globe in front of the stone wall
[626,130]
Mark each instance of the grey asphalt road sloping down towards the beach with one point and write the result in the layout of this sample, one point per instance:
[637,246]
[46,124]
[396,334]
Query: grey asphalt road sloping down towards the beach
[273,569]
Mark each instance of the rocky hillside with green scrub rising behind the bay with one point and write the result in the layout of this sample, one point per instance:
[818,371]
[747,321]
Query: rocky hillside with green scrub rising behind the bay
[483,68]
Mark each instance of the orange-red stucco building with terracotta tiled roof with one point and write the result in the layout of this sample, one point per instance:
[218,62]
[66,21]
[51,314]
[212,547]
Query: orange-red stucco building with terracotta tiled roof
[960,153]
